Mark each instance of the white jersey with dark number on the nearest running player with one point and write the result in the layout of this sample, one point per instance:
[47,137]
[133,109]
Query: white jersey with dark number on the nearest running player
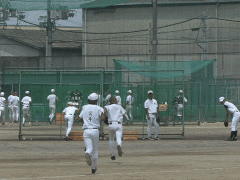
[91,115]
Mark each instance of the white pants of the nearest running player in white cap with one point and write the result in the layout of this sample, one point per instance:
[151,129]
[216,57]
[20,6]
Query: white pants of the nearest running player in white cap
[91,139]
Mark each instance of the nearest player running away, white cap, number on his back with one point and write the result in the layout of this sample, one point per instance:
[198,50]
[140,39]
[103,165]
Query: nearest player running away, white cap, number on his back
[91,116]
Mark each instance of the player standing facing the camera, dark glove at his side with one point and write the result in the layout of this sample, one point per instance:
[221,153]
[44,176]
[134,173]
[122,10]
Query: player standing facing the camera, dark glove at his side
[151,107]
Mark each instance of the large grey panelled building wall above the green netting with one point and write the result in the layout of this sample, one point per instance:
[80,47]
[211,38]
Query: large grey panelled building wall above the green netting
[176,42]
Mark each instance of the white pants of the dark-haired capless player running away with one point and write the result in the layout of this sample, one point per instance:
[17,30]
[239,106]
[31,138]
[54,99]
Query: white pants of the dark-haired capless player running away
[115,128]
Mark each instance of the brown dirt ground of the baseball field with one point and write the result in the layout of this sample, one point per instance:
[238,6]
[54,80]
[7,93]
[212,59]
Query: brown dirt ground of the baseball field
[202,154]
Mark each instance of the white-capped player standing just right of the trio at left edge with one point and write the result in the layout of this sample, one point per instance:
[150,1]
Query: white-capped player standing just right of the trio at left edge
[26,103]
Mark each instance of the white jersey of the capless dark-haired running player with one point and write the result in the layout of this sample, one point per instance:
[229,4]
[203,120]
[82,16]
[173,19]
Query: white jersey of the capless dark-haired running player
[115,113]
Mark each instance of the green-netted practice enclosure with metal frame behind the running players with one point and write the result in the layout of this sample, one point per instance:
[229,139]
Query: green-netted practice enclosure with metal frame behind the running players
[164,78]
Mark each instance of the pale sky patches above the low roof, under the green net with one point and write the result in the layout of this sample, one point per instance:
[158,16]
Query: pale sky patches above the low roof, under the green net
[32,16]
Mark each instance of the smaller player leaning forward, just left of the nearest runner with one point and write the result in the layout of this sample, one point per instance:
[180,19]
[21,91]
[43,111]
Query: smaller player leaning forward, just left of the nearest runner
[68,113]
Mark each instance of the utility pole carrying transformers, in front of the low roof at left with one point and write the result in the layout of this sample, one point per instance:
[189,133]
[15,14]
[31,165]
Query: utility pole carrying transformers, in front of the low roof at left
[49,37]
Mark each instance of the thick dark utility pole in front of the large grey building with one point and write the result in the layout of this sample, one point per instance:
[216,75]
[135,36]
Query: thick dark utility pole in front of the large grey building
[154,31]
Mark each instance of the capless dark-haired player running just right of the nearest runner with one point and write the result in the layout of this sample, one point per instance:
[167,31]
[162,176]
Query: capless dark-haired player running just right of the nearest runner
[115,114]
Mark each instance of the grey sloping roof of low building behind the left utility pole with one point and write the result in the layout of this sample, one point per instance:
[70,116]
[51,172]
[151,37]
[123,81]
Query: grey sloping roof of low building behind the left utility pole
[37,37]
